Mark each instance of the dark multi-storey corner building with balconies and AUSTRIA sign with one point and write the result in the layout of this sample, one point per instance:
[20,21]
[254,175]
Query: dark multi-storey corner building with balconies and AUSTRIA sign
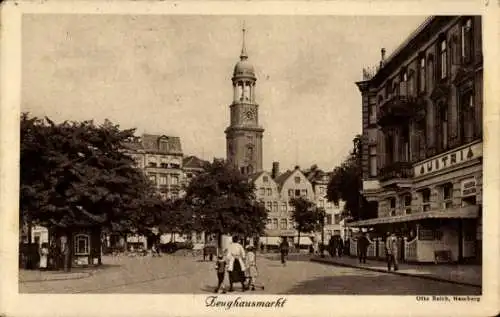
[422,141]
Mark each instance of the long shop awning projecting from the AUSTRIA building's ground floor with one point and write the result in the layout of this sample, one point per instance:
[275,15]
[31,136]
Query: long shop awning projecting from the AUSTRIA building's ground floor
[469,212]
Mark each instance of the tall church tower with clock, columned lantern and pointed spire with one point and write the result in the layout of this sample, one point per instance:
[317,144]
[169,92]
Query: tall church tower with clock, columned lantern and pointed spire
[244,135]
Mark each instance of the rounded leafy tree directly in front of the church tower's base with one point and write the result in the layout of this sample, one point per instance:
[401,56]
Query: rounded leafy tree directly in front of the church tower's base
[222,201]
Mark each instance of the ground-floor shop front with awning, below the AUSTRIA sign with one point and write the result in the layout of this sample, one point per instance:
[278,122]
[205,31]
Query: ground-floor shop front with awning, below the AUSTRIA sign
[435,236]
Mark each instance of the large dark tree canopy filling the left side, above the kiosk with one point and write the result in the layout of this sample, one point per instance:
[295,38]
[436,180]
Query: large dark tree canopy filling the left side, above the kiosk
[77,174]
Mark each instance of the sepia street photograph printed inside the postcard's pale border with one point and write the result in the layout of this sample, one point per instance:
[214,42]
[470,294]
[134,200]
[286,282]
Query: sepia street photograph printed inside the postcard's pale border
[237,155]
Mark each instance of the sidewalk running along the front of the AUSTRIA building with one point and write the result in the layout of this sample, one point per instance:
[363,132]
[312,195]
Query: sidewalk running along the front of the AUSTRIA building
[470,275]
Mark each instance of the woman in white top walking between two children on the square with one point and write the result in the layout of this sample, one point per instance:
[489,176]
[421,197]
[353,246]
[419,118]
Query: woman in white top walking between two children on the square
[241,267]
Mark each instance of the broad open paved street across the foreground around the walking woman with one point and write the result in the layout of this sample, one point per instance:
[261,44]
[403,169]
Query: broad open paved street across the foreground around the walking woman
[177,274]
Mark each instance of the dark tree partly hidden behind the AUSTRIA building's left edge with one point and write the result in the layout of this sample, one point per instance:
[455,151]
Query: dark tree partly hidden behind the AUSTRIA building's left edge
[346,184]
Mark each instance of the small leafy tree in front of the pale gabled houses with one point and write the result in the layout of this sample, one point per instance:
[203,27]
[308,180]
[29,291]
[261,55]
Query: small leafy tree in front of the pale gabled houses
[306,216]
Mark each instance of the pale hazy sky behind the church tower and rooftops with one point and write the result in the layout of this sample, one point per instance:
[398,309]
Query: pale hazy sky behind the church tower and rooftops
[171,74]
